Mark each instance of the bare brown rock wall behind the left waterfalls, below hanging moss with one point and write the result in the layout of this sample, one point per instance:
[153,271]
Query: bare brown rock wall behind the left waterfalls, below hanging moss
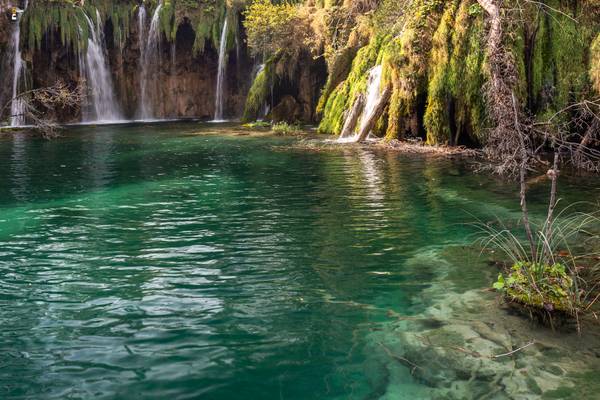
[181,84]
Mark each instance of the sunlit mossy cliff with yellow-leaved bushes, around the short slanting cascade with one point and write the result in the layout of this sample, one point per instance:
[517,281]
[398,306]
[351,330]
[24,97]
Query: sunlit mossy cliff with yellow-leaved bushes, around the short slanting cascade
[433,58]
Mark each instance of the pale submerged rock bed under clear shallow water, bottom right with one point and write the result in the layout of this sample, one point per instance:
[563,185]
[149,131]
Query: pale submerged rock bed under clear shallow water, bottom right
[466,345]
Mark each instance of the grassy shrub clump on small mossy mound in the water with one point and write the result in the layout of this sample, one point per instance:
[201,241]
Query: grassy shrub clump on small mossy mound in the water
[562,276]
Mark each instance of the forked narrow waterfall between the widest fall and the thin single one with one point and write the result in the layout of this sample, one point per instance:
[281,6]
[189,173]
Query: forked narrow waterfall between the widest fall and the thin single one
[150,56]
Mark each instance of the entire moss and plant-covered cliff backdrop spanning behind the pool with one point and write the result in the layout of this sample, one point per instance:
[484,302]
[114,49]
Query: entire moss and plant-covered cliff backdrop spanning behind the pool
[309,61]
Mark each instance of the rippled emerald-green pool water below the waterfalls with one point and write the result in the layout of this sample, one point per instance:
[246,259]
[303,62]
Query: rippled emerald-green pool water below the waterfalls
[189,261]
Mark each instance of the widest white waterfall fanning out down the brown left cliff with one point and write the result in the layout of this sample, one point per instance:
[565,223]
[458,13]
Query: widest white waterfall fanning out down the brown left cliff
[97,74]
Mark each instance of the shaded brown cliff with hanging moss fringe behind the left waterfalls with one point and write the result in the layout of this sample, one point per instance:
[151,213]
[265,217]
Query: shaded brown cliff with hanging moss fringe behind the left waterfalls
[54,35]
